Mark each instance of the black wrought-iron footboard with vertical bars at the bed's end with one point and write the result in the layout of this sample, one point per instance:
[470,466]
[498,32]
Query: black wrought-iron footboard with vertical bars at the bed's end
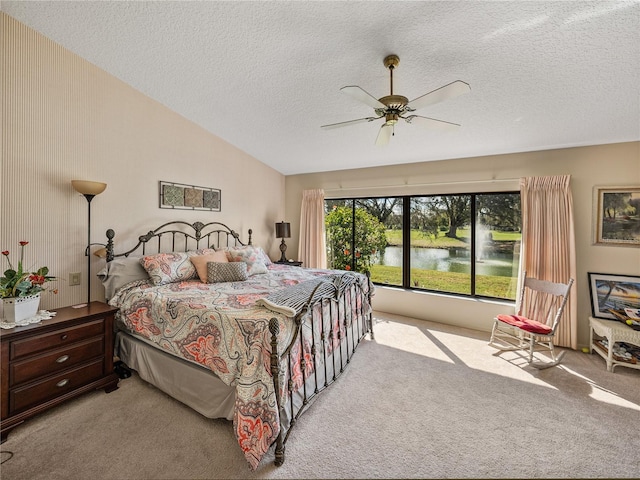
[328,330]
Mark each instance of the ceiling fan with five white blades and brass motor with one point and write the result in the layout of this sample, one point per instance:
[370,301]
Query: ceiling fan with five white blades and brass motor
[394,107]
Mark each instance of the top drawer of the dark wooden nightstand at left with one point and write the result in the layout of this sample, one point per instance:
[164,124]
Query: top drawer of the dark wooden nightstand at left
[59,338]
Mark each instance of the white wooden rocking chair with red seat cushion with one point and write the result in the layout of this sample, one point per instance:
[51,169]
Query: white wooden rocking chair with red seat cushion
[534,326]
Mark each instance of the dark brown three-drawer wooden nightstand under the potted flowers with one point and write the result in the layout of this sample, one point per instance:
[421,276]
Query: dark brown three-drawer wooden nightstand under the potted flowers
[50,362]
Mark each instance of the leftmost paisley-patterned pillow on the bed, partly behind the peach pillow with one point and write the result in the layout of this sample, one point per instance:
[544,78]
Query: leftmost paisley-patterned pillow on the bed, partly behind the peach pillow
[172,267]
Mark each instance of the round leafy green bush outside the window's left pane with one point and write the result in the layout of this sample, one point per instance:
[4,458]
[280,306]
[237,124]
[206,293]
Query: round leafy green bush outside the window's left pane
[370,238]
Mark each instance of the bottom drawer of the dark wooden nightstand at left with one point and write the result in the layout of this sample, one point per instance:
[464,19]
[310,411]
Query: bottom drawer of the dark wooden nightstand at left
[22,398]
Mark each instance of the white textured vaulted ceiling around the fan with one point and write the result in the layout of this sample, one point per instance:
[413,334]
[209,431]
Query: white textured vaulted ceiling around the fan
[266,75]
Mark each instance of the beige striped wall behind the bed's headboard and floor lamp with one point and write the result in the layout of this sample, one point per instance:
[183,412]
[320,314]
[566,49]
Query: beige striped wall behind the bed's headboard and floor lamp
[64,119]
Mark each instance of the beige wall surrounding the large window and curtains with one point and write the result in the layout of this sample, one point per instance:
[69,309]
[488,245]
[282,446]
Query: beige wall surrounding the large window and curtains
[616,164]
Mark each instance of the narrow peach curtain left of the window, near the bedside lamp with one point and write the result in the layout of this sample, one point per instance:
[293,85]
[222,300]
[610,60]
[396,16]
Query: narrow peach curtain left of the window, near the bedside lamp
[311,247]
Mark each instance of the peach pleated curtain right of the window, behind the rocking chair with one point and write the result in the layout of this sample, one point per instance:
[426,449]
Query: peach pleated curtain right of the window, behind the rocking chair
[548,243]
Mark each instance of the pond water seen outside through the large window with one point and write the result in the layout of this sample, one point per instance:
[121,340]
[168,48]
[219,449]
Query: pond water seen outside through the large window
[453,260]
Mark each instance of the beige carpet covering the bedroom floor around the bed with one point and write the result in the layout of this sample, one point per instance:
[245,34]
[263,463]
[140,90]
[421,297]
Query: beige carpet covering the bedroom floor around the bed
[421,401]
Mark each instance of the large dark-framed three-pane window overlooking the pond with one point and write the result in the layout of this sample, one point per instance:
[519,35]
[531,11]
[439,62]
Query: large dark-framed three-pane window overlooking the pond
[466,244]
